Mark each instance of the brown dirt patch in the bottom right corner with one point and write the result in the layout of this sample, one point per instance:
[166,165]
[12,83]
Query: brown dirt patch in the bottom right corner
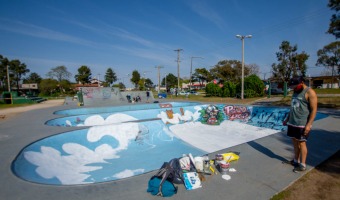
[322,182]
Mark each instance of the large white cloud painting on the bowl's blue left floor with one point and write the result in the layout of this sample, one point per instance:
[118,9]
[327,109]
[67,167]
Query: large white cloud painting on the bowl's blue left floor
[72,168]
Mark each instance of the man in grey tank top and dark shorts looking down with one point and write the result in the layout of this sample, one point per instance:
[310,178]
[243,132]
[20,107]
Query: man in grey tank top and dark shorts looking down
[300,119]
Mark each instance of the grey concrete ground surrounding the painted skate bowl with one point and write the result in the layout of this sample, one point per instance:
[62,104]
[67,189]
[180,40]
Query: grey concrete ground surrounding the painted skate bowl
[260,173]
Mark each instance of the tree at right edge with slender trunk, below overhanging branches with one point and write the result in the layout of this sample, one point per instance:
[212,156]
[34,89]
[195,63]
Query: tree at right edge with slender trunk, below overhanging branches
[329,57]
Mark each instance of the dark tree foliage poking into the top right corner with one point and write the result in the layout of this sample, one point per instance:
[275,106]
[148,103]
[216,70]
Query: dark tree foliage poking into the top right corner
[334,26]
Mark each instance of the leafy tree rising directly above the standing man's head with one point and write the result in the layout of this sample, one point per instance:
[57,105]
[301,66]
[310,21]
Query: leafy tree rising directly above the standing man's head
[290,62]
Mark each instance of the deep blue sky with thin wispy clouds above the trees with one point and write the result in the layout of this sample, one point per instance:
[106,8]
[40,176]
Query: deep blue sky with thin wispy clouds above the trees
[129,35]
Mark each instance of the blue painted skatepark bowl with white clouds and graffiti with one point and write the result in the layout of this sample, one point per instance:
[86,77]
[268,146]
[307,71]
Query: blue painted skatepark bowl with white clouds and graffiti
[113,143]
